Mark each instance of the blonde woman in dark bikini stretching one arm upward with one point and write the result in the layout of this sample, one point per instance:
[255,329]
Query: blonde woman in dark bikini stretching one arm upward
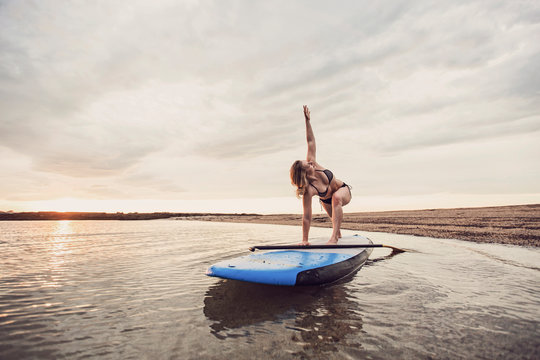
[312,179]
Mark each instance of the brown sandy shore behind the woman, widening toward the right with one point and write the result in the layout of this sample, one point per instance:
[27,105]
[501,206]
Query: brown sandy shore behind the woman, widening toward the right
[516,225]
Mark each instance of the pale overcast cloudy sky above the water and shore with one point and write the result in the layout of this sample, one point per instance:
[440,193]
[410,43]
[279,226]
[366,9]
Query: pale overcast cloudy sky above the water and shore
[197,105]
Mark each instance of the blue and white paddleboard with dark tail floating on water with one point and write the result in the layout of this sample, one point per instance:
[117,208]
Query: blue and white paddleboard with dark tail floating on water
[296,267]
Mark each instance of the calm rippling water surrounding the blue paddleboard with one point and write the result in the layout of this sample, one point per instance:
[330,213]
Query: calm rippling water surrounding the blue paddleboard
[113,289]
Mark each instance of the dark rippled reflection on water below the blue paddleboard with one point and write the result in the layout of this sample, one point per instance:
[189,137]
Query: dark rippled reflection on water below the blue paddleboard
[319,317]
